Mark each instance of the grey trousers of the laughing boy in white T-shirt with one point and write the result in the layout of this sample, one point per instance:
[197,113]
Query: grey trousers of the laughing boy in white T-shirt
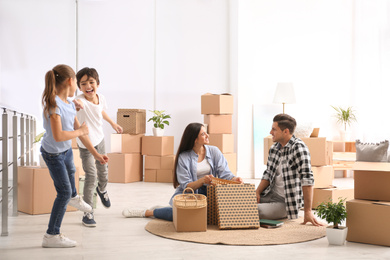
[92,168]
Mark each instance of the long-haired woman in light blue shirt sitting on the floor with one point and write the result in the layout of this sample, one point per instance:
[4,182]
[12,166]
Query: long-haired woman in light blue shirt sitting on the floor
[195,164]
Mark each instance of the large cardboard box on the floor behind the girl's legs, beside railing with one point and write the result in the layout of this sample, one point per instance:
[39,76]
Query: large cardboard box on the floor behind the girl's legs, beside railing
[36,191]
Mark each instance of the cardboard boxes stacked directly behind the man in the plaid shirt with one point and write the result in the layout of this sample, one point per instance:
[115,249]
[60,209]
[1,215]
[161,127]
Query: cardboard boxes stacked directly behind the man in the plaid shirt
[321,152]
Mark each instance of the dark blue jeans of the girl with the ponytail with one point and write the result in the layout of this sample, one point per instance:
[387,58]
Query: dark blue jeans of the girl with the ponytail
[62,170]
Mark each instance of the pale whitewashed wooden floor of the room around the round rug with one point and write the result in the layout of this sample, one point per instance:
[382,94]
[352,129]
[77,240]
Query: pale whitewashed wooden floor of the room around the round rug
[116,237]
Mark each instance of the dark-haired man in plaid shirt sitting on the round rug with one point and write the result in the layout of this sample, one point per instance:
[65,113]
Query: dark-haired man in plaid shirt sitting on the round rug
[288,173]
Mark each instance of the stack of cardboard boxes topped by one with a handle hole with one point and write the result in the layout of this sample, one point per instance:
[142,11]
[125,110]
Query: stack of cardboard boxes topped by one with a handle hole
[125,160]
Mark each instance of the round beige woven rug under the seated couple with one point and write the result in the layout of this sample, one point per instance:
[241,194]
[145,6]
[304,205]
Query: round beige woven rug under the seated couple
[291,232]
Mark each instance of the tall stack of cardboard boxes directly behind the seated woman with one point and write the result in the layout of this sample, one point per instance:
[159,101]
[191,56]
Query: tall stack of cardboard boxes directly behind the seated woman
[218,113]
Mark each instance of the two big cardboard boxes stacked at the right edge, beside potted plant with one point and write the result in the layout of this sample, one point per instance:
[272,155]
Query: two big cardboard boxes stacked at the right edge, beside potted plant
[368,214]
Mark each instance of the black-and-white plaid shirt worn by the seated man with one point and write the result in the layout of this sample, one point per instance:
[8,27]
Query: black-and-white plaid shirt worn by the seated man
[296,168]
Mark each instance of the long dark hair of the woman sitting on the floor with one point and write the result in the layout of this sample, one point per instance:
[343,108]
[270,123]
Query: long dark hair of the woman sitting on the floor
[187,143]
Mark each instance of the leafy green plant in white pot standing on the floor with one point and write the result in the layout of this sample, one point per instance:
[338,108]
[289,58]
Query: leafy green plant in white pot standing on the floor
[334,213]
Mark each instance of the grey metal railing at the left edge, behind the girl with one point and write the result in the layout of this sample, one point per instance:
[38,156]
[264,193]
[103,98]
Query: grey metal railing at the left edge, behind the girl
[25,137]
